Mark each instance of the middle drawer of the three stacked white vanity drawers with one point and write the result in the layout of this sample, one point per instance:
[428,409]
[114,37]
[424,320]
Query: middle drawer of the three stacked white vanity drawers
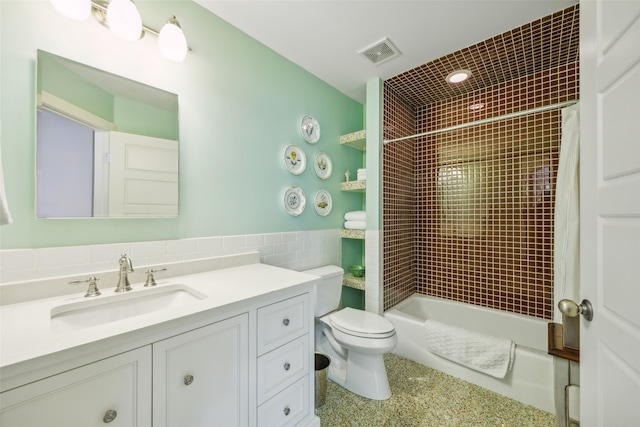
[282,367]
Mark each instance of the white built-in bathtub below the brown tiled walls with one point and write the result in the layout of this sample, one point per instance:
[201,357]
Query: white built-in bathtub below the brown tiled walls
[531,379]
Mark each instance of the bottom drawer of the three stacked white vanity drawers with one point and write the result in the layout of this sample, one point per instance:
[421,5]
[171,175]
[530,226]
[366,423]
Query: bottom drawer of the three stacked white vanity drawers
[286,408]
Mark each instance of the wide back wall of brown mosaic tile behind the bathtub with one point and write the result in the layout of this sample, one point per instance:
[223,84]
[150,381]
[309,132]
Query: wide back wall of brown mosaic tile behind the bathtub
[485,209]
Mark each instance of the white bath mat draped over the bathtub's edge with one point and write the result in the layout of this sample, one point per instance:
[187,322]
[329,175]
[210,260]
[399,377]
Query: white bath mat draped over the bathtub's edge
[483,353]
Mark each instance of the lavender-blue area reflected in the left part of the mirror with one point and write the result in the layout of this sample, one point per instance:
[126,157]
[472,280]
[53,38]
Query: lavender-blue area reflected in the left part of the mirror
[65,165]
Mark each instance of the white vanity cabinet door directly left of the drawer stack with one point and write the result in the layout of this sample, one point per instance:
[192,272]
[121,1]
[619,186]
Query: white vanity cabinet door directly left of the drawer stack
[200,378]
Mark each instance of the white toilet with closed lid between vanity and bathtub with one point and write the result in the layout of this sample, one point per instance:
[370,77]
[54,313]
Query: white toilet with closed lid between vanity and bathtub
[354,339]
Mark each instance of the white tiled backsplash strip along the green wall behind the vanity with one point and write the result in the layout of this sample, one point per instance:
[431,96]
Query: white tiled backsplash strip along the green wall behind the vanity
[292,250]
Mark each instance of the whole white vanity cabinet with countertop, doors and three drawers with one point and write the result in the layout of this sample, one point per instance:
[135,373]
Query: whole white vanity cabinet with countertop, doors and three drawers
[242,356]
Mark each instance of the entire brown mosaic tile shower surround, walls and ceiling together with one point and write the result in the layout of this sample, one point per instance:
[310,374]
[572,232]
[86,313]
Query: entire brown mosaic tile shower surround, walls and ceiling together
[484,195]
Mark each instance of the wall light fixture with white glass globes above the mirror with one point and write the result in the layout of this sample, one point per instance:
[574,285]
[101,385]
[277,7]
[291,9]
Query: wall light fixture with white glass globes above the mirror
[123,19]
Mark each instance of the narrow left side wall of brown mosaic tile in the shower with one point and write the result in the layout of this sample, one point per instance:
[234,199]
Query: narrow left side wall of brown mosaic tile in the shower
[399,201]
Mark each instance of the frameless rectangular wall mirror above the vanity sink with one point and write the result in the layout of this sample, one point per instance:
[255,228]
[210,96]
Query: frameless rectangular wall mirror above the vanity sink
[106,146]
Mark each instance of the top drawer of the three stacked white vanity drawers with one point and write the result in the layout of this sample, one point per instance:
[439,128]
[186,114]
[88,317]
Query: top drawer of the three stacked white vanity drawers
[282,322]
